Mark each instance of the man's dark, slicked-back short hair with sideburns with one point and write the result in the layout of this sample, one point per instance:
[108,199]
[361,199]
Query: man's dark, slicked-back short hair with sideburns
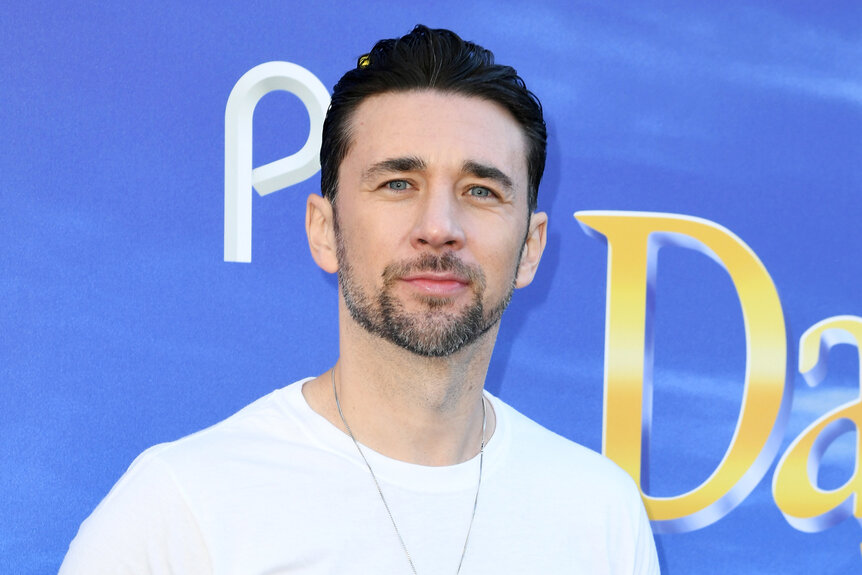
[437,60]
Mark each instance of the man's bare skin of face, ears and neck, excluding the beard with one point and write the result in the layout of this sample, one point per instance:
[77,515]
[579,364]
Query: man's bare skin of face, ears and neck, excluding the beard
[427,172]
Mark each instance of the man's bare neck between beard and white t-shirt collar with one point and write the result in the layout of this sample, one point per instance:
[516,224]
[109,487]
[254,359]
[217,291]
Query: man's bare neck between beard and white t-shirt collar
[409,407]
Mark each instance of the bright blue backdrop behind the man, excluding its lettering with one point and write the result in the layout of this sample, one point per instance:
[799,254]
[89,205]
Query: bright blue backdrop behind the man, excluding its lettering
[123,327]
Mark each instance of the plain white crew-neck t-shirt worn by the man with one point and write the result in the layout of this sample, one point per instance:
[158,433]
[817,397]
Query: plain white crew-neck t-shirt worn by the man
[277,489]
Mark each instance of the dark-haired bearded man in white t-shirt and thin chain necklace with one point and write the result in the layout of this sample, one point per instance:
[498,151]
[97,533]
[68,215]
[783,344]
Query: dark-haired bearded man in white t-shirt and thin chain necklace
[395,460]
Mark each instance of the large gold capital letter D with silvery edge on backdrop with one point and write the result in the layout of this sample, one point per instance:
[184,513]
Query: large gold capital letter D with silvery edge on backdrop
[633,240]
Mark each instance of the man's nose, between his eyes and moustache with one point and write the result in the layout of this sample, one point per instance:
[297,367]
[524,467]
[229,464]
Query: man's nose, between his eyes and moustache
[437,222]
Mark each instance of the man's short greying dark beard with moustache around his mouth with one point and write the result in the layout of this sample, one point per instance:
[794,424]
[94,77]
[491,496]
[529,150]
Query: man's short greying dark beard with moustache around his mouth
[433,332]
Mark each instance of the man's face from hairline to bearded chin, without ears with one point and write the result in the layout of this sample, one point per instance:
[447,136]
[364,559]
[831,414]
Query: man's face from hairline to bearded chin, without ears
[431,218]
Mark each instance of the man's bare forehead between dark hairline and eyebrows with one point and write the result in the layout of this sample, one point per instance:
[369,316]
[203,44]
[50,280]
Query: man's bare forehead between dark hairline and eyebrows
[444,129]
